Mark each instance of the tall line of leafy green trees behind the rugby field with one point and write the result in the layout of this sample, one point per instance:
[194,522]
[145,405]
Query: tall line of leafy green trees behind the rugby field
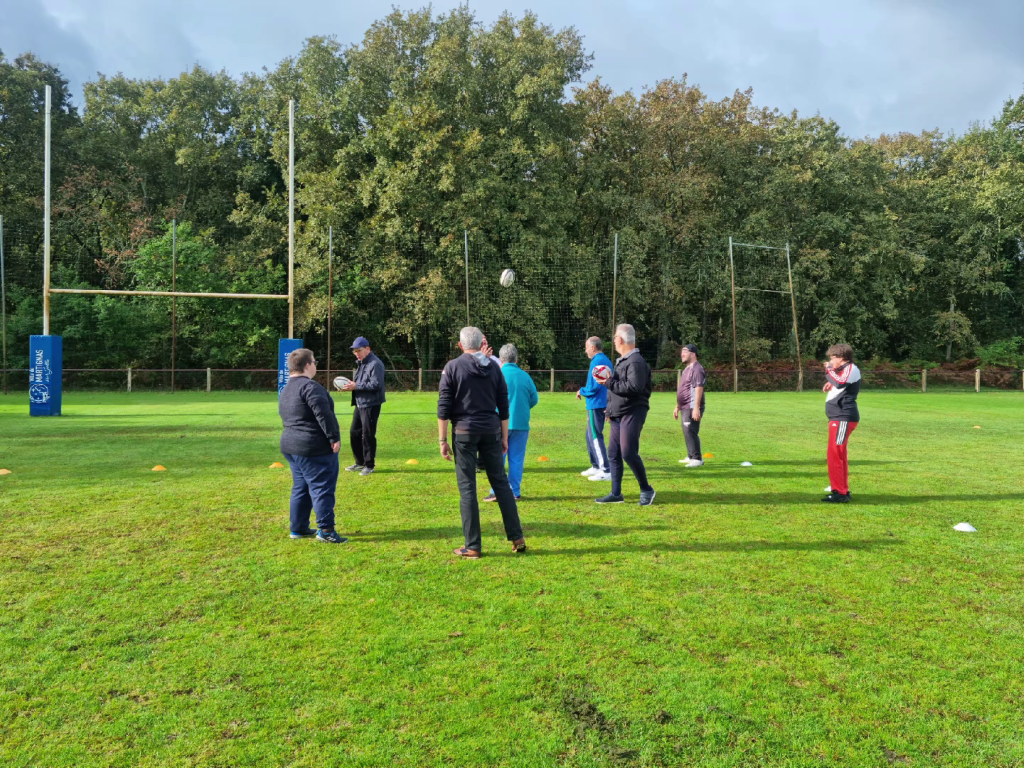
[910,247]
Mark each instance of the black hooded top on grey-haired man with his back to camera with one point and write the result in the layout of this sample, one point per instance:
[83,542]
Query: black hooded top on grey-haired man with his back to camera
[474,395]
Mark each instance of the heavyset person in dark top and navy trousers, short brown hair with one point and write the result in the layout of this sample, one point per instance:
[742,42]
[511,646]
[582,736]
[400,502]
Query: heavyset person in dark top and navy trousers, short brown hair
[310,442]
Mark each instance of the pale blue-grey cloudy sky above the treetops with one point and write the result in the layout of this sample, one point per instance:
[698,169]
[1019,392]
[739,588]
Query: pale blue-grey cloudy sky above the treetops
[874,66]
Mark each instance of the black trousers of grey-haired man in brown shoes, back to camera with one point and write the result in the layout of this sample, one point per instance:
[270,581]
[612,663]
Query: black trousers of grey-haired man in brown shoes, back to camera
[489,448]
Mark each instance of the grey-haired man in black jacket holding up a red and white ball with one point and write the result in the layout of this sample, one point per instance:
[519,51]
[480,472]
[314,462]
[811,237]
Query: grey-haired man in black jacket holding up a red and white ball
[629,400]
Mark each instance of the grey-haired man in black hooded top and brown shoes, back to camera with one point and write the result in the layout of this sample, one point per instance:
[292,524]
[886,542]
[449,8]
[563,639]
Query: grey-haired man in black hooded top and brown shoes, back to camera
[475,398]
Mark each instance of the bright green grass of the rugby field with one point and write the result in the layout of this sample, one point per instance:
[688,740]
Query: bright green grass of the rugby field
[165,619]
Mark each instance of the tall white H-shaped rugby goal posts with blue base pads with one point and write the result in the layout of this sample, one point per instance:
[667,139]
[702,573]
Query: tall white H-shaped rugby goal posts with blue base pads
[47,352]
